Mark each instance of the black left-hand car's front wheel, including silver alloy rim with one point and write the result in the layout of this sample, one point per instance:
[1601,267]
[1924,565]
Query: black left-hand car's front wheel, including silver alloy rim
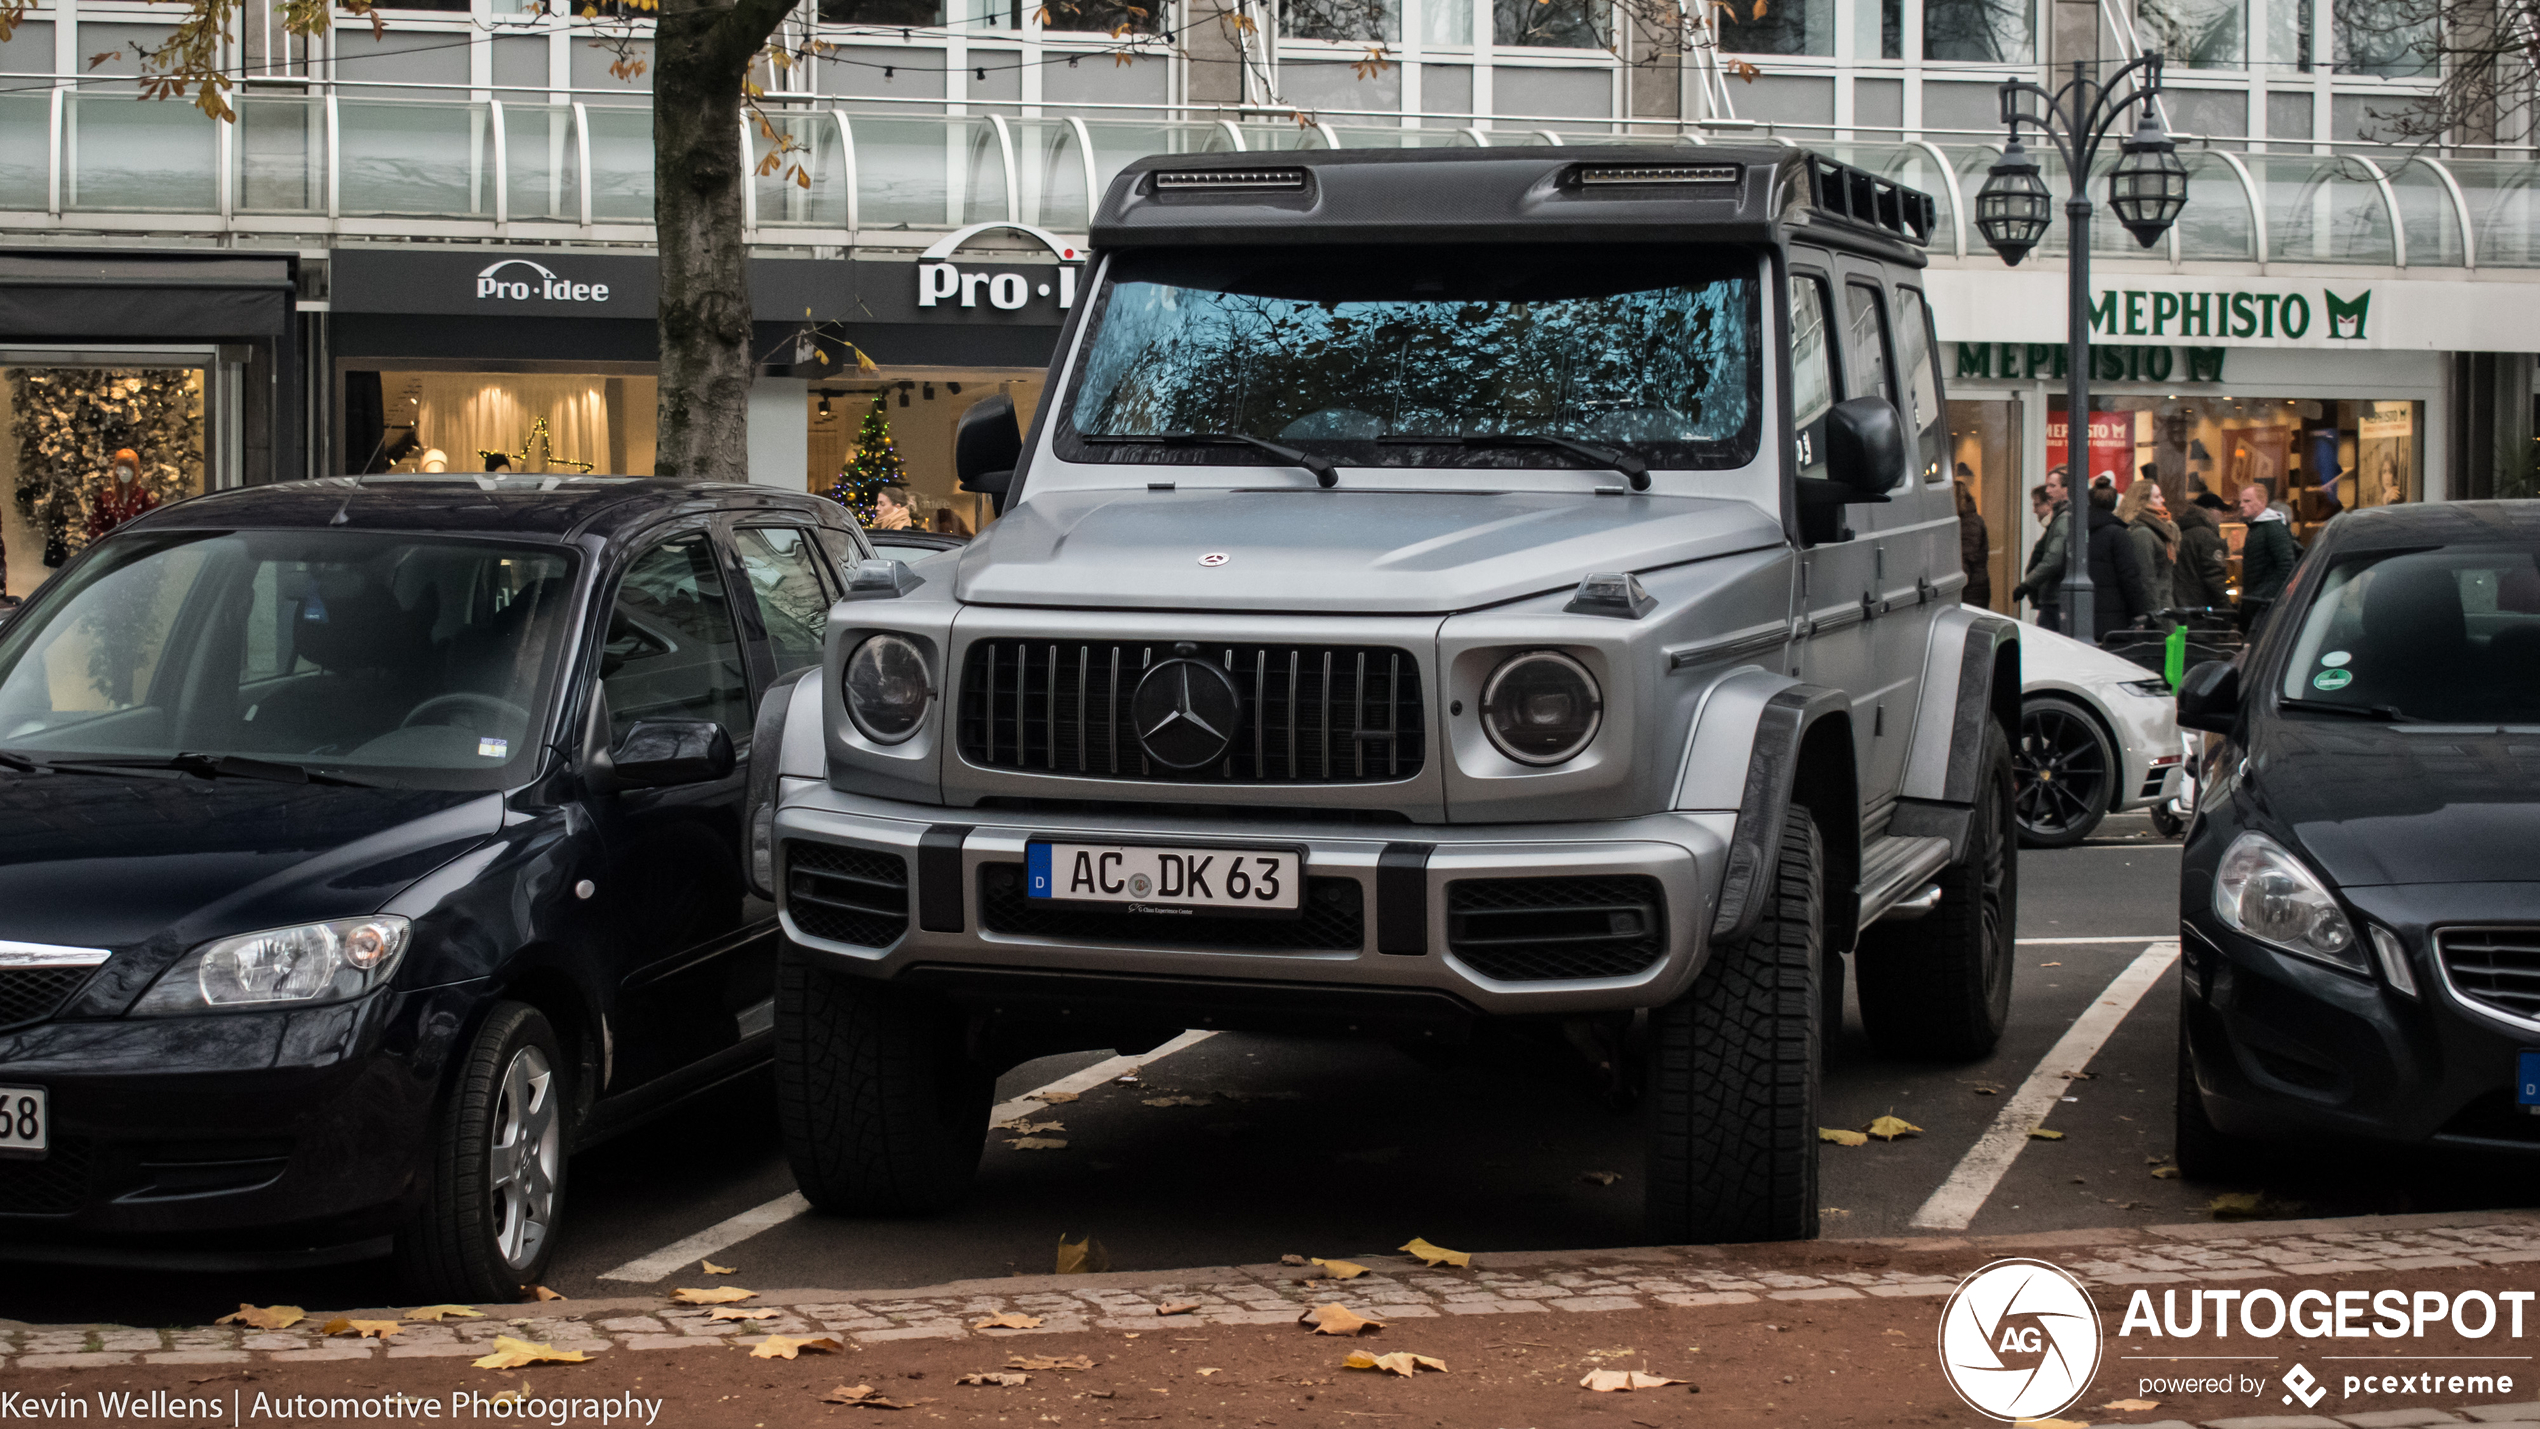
[497,1174]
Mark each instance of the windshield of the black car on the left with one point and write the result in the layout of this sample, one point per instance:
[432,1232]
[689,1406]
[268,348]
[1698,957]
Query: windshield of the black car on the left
[385,659]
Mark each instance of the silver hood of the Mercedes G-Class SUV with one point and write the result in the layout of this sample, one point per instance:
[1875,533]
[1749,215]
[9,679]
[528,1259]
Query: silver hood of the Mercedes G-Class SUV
[1358,552]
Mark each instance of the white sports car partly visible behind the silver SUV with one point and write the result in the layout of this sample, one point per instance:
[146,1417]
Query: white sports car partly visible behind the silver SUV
[2097,737]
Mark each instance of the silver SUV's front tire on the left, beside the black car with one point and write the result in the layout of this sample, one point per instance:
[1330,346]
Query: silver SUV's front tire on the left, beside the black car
[880,1105]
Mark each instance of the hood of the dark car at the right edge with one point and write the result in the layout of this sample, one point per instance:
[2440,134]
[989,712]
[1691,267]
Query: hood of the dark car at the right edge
[2376,803]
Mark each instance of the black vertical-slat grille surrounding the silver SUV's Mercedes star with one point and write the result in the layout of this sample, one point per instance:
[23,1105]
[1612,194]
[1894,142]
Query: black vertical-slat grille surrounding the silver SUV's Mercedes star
[1312,714]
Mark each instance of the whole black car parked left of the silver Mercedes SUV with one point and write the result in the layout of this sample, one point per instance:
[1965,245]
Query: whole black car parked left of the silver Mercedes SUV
[372,844]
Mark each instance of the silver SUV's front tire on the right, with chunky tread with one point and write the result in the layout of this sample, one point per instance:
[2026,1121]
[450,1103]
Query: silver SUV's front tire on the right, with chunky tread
[1734,1072]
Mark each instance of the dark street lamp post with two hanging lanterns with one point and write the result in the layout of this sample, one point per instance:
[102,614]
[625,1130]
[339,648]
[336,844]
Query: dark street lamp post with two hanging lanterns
[2015,209]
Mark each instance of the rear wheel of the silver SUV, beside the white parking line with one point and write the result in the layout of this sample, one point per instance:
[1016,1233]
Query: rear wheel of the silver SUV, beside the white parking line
[1942,986]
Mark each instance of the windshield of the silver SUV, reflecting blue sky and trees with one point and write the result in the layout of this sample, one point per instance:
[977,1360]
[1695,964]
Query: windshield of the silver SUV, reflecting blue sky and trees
[1355,354]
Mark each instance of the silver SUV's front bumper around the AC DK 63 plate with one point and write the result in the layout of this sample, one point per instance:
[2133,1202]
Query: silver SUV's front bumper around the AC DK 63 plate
[1391,879]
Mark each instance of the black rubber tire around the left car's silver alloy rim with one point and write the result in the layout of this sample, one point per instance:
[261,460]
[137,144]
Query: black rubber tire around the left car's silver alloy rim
[448,1250]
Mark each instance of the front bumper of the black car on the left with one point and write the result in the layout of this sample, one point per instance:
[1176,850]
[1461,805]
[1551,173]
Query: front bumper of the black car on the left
[281,1136]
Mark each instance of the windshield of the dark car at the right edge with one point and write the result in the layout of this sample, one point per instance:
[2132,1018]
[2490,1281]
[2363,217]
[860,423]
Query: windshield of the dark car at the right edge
[2445,636]
